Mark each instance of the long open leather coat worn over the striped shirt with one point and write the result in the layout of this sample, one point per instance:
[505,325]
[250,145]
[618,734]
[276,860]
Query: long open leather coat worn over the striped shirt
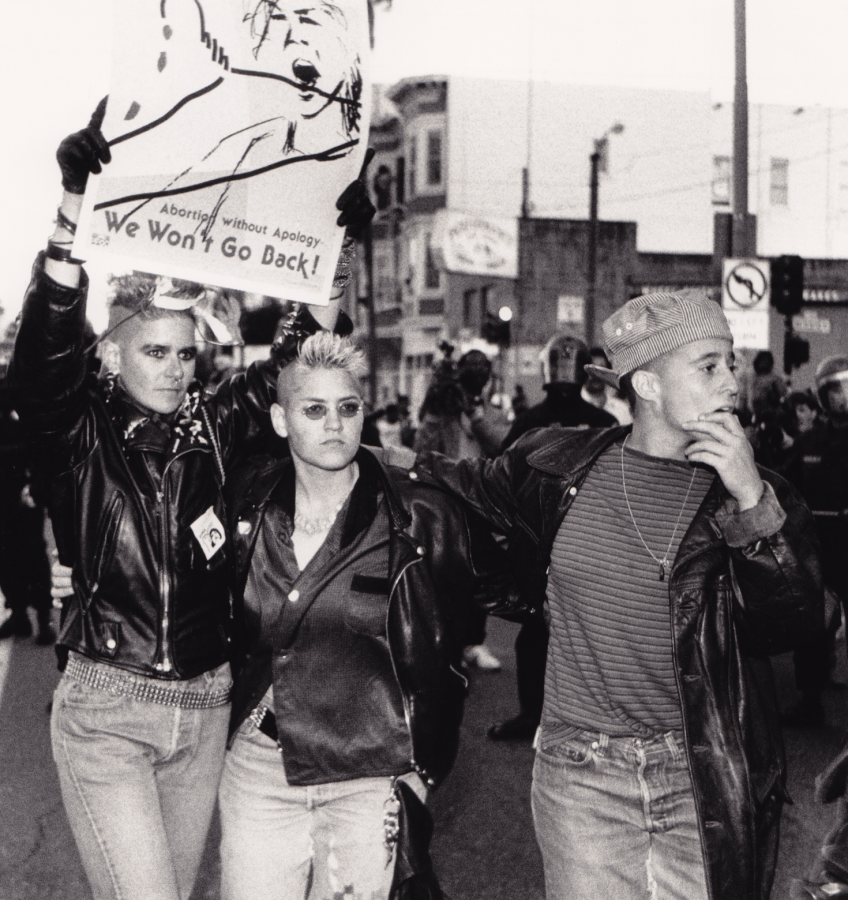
[730,607]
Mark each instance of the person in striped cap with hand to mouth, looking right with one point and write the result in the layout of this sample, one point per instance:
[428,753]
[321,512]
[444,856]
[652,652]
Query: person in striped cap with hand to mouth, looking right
[669,567]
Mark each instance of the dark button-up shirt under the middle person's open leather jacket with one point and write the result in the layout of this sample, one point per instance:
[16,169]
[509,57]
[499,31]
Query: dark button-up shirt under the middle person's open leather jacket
[338,706]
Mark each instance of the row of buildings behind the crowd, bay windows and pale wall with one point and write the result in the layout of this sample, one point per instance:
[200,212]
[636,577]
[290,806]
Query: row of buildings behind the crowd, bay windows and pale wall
[500,151]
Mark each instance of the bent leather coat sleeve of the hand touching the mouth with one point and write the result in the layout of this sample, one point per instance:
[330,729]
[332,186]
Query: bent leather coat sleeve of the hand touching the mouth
[778,576]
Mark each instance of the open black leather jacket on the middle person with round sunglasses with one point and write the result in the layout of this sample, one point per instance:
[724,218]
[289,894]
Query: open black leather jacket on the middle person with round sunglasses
[437,564]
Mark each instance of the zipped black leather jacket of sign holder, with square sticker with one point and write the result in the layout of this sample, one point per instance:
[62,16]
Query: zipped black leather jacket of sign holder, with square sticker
[146,598]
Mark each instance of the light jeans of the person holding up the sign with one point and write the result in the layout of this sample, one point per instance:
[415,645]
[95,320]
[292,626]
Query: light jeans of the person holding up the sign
[139,782]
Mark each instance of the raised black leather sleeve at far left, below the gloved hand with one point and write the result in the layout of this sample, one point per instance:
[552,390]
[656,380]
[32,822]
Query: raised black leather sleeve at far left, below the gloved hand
[49,365]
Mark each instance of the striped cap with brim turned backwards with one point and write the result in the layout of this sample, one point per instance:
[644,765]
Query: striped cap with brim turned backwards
[650,325]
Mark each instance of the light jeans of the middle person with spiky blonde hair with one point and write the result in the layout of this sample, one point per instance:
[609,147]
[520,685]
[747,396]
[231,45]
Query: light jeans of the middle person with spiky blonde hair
[287,842]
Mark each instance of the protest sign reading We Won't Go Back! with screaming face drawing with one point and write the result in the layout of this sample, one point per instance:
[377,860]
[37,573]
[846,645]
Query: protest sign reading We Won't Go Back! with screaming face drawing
[234,125]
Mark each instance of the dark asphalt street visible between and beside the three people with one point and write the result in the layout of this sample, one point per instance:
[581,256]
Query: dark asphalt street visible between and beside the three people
[483,849]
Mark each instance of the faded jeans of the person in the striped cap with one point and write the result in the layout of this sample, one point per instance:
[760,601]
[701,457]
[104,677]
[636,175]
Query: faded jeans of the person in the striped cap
[615,817]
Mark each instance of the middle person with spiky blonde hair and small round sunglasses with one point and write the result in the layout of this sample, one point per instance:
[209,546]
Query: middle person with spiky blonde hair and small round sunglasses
[352,587]
